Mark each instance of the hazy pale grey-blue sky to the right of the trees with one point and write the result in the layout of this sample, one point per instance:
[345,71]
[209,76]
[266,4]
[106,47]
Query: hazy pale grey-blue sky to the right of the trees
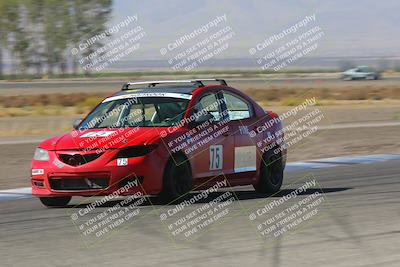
[352,28]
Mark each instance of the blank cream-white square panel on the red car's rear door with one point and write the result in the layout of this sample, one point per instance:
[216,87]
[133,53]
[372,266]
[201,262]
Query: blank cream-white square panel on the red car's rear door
[245,158]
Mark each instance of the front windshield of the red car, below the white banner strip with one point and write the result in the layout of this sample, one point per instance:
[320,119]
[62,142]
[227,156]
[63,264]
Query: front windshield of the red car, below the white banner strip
[136,112]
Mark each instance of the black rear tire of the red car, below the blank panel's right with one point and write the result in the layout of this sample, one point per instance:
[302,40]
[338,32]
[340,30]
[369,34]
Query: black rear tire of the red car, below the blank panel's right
[271,173]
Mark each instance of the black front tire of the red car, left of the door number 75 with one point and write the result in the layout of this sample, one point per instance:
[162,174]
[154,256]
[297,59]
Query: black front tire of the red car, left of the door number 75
[177,179]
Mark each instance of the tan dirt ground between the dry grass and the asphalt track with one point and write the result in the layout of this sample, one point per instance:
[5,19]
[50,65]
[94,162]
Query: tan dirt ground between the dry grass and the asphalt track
[356,140]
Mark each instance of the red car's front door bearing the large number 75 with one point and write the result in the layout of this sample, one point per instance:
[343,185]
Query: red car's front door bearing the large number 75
[215,156]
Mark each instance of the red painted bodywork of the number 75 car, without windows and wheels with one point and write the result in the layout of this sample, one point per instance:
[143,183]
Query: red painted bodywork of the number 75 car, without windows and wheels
[149,167]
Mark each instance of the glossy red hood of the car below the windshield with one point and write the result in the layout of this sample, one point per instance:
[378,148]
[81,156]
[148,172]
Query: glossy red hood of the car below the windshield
[103,138]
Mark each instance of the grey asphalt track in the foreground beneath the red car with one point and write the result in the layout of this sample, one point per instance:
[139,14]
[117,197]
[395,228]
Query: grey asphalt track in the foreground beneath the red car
[357,225]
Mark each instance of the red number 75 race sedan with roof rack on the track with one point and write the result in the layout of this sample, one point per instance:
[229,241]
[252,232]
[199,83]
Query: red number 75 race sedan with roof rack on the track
[163,138]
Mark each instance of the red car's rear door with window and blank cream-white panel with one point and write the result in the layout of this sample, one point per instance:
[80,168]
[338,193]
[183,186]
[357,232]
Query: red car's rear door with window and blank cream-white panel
[241,116]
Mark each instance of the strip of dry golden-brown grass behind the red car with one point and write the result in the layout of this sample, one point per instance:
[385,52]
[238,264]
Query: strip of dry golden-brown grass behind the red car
[81,103]
